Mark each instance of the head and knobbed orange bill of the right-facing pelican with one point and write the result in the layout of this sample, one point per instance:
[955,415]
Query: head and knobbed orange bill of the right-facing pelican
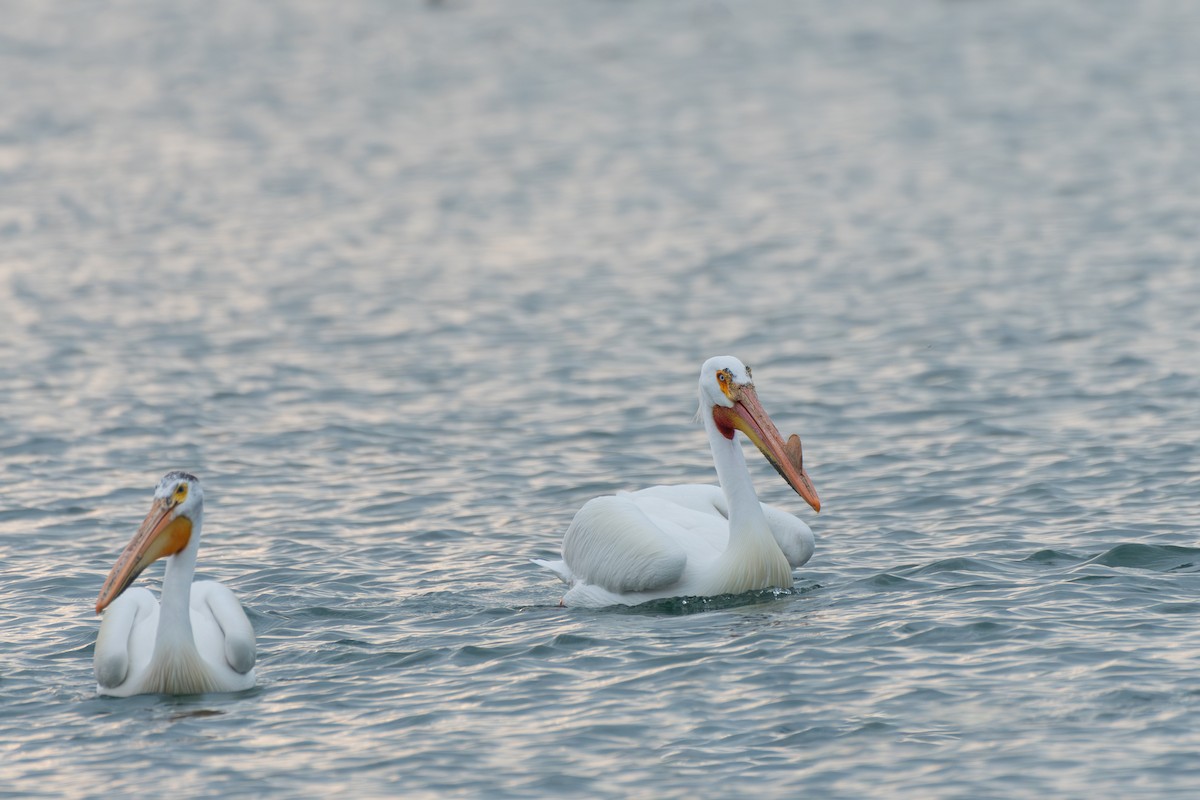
[728,393]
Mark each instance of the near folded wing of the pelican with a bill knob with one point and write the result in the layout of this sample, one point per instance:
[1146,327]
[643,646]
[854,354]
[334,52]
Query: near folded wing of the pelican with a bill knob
[615,545]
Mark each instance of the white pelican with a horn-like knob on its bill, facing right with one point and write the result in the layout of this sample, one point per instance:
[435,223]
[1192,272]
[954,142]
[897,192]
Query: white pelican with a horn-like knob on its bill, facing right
[674,542]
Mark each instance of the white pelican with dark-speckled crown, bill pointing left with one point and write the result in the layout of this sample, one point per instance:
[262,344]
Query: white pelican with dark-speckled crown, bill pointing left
[199,640]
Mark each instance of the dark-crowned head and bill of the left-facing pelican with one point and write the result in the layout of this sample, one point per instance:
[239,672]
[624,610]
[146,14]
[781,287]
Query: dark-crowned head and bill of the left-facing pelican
[167,530]
